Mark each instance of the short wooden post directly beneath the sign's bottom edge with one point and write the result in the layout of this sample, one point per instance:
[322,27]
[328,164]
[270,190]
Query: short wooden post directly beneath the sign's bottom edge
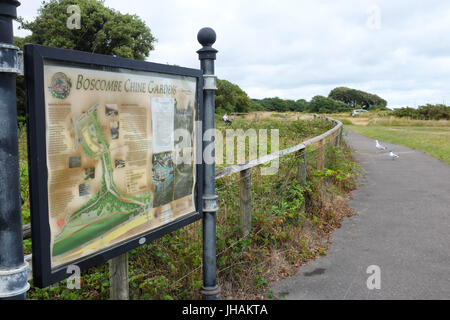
[118,278]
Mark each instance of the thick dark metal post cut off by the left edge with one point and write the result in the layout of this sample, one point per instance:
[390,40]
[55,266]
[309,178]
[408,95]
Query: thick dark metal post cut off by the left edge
[13,268]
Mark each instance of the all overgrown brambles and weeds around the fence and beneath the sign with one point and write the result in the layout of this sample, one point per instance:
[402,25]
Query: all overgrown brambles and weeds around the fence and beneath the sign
[287,229]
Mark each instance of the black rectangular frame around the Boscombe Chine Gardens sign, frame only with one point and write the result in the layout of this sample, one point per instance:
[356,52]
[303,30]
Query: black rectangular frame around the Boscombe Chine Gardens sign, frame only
[35,55]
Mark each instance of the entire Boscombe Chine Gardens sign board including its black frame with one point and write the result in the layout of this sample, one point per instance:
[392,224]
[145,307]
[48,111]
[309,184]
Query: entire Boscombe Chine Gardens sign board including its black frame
[120,146]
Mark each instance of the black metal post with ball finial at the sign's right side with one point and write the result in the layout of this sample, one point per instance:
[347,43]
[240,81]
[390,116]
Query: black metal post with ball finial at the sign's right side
[207,55]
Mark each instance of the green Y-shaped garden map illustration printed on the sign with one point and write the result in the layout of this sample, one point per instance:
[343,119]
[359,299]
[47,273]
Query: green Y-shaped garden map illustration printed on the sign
[108,207]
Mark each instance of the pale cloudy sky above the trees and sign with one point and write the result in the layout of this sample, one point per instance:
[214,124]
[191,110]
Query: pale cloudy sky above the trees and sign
[399,49]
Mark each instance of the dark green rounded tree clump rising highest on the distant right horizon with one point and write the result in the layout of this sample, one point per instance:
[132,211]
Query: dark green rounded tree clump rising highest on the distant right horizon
[355,98]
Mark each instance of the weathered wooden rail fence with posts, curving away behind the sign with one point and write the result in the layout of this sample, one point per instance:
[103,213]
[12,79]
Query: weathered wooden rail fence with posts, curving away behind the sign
[119,266]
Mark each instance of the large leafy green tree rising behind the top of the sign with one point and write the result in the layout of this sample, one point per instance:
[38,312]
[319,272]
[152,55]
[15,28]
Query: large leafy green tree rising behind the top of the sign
[102,30]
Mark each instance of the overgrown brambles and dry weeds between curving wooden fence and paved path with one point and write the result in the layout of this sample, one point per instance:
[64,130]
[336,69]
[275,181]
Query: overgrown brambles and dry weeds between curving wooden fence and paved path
[288,229]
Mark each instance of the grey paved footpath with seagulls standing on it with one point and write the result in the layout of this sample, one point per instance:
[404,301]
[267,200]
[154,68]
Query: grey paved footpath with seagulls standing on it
[402,225]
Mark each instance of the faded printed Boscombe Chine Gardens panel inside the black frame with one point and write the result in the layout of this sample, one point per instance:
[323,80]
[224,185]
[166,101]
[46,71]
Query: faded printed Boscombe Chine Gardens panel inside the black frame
[112,156]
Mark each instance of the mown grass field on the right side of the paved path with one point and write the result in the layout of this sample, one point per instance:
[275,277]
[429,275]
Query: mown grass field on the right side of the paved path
[431,137]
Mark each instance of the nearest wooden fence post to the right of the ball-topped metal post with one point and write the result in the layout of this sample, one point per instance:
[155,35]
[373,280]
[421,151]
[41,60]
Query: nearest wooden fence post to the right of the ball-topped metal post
[246,201]
